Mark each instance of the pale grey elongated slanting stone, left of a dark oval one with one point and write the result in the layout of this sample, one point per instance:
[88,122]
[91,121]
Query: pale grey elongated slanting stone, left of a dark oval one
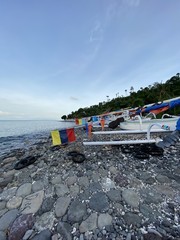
[62,205]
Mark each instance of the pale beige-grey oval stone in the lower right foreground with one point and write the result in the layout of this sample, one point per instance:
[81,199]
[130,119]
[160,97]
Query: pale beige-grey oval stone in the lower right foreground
[131,198]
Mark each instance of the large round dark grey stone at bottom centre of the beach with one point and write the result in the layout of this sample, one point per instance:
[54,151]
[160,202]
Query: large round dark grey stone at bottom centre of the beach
[99,202]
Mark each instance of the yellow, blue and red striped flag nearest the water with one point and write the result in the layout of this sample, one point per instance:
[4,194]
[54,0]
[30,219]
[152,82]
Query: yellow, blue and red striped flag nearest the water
[63,136]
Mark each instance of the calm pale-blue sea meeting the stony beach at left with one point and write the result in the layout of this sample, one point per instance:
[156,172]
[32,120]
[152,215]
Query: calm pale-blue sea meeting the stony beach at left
[16,134]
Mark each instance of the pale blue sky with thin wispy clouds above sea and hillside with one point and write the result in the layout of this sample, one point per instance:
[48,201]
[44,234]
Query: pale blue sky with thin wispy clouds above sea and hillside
[58,56]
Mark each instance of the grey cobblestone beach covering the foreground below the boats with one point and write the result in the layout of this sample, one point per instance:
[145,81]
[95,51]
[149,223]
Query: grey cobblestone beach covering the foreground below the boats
[110,195]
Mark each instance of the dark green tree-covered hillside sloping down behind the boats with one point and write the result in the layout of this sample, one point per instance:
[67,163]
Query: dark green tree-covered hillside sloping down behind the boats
[151,94]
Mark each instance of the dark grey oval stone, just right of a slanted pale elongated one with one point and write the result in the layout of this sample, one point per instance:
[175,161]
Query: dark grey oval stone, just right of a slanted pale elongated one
[76,211]
